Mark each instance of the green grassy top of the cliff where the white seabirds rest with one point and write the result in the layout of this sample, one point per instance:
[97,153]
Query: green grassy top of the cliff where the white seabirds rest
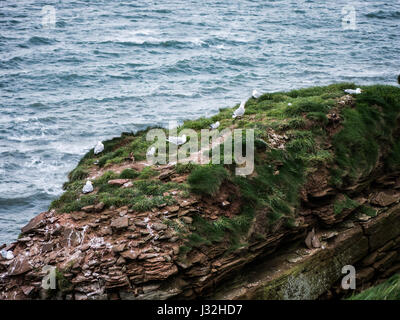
[298,134]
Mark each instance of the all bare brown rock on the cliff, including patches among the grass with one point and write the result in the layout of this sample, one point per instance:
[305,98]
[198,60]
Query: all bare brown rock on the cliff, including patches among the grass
[110,252]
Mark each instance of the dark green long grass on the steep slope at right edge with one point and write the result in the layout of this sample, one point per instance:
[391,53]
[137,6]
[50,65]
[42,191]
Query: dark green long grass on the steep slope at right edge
[366,128]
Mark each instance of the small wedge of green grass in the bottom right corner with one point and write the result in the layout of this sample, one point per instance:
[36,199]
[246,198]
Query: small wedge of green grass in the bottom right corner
[388,290]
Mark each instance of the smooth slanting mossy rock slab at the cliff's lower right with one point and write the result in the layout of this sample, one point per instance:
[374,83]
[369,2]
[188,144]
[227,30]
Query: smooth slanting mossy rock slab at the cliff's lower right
[310,274]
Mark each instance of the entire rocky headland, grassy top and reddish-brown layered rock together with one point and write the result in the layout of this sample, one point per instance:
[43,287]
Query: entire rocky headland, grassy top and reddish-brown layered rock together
[327,170]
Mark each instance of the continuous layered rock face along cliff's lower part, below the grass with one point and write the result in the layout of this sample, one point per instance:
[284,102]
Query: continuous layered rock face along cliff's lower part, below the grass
[131,255]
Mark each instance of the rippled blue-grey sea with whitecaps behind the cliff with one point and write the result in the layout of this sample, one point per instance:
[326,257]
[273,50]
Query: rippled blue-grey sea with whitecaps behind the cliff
[105,67]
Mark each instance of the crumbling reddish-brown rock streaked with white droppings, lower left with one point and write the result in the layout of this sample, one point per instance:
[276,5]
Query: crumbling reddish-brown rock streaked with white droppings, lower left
[101,252]
